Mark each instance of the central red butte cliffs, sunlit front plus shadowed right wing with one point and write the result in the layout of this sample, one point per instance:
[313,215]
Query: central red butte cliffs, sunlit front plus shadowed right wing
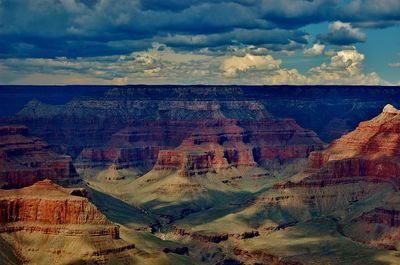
[221,144]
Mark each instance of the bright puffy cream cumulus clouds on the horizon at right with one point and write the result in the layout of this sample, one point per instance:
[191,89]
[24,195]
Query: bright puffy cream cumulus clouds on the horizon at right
[345,67]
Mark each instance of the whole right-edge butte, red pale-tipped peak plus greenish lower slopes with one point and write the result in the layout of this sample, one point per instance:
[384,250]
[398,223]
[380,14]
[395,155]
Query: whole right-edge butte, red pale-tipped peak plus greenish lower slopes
[355,179]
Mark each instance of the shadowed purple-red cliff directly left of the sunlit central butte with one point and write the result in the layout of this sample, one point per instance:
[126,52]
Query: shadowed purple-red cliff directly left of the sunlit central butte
[136,146]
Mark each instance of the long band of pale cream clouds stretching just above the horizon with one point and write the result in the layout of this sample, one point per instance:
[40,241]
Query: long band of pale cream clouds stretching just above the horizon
[161,64]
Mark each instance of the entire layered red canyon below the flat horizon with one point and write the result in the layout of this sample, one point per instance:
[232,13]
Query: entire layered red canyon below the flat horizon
[201,175]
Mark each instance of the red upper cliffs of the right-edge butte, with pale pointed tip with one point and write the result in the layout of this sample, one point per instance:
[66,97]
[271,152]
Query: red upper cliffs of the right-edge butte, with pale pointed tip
[370,151]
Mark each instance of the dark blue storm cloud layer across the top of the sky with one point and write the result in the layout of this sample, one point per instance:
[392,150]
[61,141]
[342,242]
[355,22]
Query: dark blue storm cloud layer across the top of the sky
[84,28]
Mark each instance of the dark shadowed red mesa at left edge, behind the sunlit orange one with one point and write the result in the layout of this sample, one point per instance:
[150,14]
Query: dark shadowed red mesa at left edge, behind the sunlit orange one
[25,160]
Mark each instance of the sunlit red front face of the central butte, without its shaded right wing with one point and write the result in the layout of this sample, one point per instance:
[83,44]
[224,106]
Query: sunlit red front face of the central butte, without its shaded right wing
[214,145]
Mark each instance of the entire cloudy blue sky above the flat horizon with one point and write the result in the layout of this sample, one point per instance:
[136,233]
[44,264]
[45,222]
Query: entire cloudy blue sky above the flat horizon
[257,42]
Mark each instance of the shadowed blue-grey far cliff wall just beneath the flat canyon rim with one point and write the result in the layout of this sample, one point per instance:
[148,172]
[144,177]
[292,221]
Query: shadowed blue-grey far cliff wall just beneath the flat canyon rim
[90,122]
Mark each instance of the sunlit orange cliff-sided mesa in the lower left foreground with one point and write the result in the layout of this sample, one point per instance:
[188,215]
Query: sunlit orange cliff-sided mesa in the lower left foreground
[49,208]
